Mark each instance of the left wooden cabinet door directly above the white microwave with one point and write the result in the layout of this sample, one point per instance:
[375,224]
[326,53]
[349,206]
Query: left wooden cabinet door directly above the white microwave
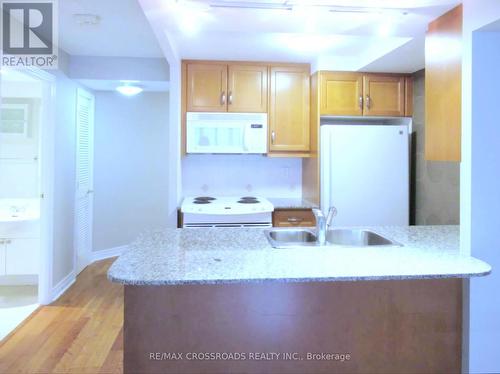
[206,87]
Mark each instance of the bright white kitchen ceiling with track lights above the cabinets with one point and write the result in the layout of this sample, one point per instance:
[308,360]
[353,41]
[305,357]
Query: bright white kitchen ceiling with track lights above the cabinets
[336,34]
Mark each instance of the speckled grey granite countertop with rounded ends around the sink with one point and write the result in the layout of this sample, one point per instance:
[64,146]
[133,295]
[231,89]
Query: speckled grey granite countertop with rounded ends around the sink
[238,255]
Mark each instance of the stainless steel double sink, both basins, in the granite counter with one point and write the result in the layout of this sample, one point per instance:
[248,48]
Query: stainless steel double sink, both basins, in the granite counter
[283,238]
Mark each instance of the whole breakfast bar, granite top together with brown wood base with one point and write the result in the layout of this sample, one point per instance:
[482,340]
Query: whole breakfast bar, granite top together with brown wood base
[224,300]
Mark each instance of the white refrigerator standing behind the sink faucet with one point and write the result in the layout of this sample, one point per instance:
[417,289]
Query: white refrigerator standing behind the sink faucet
[365,173]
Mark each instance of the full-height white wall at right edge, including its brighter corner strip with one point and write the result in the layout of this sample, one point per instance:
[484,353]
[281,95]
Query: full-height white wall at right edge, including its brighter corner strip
[480,176]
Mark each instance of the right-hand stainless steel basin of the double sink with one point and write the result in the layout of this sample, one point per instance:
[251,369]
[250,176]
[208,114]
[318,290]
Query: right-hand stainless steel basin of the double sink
[357,238]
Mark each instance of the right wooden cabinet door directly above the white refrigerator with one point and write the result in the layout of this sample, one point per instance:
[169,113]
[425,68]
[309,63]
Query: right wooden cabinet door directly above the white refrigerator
[384,95]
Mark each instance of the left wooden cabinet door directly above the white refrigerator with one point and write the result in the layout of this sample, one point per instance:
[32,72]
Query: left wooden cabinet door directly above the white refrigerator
[341,94]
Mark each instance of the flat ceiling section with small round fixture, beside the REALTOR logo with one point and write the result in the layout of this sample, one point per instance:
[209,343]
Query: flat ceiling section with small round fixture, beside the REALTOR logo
[122,30]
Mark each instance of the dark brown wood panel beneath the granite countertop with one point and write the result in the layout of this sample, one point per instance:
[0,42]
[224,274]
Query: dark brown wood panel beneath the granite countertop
[407,326]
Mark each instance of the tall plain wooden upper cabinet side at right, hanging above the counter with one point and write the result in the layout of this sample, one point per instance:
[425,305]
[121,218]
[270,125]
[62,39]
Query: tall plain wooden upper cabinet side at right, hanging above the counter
[443,87]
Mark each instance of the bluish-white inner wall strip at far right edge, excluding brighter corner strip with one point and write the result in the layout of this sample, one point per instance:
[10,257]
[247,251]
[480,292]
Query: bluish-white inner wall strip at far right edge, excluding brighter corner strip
[484,292]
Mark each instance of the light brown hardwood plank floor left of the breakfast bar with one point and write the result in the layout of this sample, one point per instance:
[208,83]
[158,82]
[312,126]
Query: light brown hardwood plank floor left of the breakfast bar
[82,332]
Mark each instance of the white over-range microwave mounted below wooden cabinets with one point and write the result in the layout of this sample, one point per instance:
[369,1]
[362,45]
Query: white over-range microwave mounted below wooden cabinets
[226,132]
